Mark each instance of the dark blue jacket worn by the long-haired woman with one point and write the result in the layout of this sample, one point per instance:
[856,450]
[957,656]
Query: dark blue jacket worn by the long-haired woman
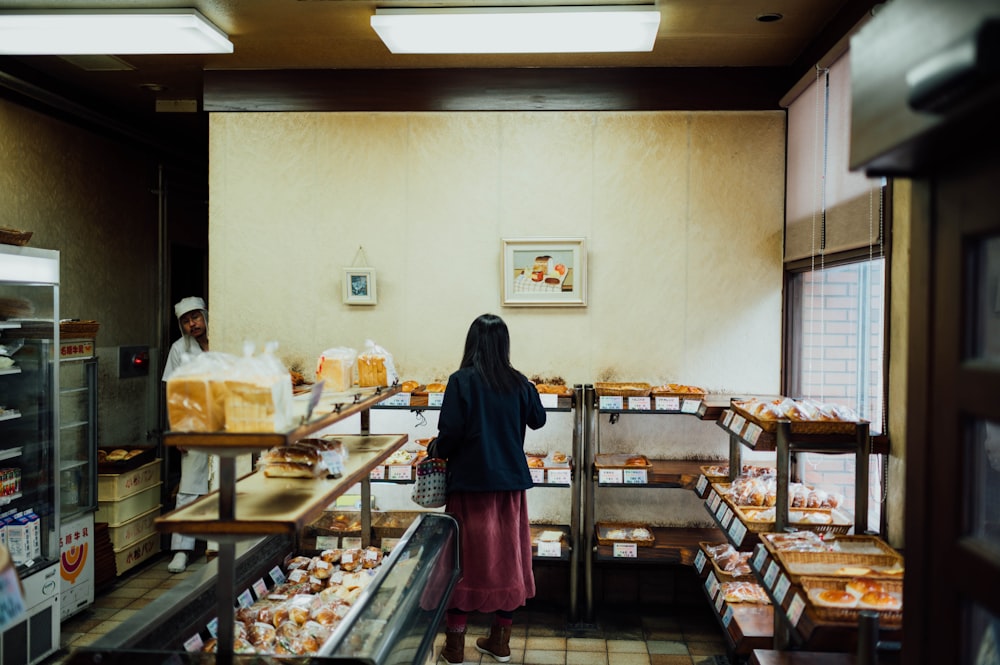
[481,433]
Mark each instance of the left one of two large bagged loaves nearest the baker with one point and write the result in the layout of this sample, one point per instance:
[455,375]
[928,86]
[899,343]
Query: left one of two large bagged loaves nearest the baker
[196,392]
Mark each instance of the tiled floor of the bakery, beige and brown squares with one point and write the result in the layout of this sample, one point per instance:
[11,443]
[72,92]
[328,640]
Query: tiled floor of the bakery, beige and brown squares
[654,636]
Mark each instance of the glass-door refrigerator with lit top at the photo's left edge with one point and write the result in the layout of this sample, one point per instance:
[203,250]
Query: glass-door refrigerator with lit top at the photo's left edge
[29,450]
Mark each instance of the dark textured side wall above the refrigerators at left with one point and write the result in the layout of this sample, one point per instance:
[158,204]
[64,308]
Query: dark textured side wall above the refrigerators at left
[91,199]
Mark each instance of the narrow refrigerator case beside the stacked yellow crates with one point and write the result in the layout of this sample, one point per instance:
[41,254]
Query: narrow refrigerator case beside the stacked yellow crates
[77,473]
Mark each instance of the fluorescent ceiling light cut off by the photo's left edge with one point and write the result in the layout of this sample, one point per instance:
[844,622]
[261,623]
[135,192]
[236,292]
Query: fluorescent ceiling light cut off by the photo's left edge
[95,31]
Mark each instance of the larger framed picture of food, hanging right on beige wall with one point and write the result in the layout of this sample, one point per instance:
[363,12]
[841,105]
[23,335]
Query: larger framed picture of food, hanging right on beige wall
[544,272]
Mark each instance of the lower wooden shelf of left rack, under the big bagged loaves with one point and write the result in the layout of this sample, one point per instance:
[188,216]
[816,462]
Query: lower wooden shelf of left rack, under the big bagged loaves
[266,506]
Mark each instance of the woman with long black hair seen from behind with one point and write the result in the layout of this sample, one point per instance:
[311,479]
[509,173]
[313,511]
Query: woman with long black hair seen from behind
[487,406]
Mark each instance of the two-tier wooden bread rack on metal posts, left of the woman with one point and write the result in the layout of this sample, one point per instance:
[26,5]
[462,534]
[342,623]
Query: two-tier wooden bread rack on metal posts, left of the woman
[273,506]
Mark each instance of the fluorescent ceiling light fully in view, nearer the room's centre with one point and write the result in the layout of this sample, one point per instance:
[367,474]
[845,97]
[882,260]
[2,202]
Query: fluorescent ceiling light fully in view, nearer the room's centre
[585,29]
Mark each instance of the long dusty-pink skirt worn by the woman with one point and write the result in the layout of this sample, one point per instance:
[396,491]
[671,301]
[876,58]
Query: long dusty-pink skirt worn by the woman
[495,538]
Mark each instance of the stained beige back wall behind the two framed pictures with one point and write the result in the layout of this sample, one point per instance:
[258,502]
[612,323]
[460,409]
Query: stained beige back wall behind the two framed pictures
[682,213]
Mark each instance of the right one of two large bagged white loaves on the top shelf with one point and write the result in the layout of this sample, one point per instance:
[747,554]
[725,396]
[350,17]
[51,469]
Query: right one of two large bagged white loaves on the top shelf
[258,392]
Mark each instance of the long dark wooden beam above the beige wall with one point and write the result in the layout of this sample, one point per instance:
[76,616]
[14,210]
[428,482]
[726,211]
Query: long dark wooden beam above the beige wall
[570,89]
